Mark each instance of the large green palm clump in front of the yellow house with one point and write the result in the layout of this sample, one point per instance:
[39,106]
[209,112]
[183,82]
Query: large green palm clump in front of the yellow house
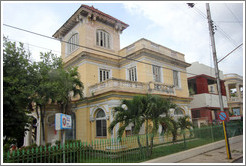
[139,110]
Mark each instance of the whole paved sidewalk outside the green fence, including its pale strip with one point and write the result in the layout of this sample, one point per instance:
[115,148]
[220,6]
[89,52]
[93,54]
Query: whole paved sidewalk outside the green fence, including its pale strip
[211,153]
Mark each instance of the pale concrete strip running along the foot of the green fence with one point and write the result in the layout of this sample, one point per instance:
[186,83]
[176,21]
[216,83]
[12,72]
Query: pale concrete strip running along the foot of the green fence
[176,157]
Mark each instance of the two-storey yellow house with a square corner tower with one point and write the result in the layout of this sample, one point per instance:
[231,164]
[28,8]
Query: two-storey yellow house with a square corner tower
[110,74]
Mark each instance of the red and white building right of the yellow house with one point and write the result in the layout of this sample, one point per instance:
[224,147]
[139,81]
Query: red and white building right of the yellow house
[205,105]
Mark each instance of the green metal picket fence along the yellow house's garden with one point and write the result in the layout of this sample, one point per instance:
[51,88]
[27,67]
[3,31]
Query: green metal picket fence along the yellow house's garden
[119,150]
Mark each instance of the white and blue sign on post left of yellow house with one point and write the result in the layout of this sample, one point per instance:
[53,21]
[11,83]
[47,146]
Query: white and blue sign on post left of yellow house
[63,121]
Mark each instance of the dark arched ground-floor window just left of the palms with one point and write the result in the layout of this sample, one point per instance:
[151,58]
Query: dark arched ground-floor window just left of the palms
[101,124]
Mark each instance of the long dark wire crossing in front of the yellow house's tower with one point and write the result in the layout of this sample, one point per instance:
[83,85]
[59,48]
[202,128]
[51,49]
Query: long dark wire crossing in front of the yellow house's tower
[90,48]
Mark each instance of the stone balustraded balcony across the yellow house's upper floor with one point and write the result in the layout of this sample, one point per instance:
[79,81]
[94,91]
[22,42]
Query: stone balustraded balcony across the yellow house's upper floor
[132,87]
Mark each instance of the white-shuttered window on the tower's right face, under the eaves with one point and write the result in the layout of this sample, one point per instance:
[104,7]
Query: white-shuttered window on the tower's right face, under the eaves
[103,39]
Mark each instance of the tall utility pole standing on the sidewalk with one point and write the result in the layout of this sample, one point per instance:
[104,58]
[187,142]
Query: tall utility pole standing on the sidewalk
[211,32]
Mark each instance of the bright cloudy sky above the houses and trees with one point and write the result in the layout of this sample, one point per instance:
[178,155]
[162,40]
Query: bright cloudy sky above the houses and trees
[171,24]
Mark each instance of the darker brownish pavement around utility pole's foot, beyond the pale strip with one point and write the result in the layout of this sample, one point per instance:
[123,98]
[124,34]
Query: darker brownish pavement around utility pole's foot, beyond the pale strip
[218,155]
